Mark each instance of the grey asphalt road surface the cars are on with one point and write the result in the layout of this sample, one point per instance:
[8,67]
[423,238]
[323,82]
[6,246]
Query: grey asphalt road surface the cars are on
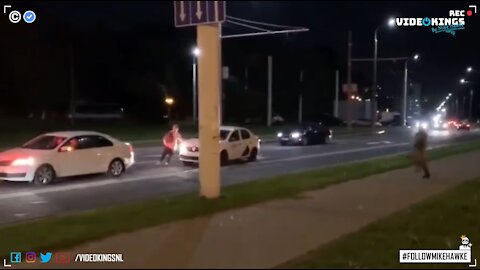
[146,179]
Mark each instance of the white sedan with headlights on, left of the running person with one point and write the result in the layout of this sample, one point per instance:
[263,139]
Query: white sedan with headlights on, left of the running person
[63,154]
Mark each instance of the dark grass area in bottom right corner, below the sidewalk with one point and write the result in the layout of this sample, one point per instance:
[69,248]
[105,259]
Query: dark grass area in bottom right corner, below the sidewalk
[436,223]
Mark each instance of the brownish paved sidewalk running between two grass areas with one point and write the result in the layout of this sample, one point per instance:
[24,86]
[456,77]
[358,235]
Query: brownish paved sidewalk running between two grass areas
[271,233]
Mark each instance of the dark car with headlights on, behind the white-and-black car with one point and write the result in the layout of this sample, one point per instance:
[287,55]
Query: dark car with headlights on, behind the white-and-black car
[305,134]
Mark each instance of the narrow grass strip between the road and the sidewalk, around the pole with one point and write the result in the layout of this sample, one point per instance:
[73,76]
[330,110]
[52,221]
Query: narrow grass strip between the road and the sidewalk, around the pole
[66,231]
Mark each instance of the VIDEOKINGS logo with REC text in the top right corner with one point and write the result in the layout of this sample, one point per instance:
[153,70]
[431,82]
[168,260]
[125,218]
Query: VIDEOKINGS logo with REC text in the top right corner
[451,24]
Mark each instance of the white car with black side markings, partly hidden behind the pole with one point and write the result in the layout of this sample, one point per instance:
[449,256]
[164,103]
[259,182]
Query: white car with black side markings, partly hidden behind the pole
[235,143]
